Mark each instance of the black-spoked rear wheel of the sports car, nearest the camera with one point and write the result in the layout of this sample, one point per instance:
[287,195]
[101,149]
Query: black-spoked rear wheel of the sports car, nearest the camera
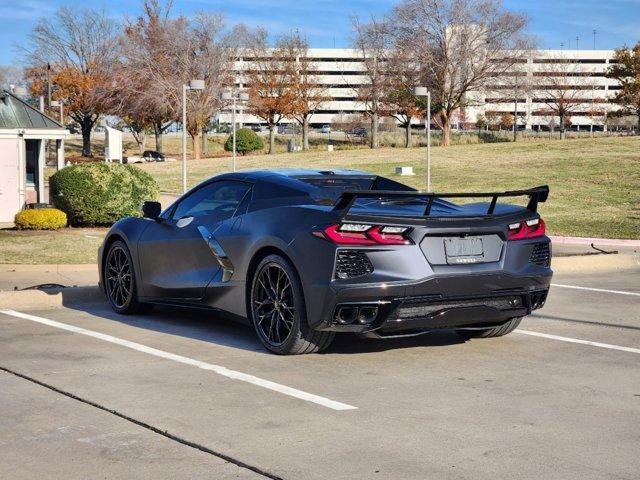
[276,307]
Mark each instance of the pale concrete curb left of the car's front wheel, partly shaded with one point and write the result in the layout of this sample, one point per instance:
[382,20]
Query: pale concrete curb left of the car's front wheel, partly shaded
[54,298]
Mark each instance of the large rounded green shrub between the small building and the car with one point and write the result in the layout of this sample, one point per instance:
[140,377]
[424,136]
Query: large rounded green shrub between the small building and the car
[100,193]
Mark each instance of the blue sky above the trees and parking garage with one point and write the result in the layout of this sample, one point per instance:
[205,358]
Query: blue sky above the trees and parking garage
[326,23]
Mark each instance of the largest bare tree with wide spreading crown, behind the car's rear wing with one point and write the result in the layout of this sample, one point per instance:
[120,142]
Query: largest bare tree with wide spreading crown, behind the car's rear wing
[460,45]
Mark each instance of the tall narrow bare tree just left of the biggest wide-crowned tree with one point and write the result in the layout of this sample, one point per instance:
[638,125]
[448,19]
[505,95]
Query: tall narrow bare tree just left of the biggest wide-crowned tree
[372,42]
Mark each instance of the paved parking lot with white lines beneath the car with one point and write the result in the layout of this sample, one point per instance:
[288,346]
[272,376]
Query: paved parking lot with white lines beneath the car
[86,393]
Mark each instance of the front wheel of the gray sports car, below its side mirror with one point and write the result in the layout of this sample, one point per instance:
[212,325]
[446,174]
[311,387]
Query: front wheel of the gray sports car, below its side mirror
[119,281]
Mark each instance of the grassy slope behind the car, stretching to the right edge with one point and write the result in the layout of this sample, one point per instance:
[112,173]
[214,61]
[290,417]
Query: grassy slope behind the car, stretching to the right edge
[595,183]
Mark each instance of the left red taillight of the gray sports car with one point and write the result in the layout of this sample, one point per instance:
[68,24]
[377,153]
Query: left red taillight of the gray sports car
[360,234]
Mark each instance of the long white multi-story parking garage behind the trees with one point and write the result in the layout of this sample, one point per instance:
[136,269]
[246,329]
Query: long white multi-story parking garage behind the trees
[341,71]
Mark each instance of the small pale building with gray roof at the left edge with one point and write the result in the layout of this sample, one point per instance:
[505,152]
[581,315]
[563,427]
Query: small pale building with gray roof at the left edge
[24,132]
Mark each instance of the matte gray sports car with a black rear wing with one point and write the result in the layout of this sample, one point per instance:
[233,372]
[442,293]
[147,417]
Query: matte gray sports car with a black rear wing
[304,254]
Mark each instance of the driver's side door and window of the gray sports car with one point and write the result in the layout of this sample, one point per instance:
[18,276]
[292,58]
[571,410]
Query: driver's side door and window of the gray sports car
[177,260]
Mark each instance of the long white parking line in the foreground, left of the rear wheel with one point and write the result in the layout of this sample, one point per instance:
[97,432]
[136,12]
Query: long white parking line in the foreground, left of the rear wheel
[243,377]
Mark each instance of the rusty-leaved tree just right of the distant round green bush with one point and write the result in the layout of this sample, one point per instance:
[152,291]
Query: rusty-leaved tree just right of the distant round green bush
[270,82]
